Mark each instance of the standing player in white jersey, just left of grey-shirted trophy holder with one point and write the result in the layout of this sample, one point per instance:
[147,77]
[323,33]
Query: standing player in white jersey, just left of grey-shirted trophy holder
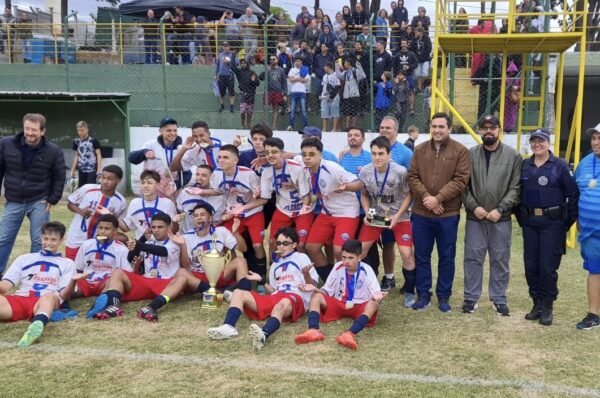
[334,188]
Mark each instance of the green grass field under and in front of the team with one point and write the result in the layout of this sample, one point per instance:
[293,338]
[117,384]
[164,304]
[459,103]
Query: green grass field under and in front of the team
[408,353]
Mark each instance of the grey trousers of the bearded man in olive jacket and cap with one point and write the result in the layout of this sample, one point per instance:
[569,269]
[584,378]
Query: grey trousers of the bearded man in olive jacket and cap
[481,238]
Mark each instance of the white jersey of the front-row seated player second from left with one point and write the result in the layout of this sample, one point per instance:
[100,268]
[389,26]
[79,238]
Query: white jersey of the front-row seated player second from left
[98,260]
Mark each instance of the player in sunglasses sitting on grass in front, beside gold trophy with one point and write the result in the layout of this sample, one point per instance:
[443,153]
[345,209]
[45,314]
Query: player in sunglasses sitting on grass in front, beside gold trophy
[285,301]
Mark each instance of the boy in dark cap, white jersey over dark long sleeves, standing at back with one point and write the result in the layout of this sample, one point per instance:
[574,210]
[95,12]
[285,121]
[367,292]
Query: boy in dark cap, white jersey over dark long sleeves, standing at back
[158,155]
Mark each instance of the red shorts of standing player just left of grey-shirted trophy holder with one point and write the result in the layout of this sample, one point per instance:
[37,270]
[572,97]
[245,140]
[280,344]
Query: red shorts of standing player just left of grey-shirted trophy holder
[327,229]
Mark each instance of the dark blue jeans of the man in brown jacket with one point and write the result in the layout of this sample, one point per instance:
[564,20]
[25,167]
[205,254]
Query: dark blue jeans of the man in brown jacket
[442,231]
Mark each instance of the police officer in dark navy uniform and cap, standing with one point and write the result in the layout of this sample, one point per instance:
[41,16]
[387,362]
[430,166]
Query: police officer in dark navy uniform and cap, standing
[548,208]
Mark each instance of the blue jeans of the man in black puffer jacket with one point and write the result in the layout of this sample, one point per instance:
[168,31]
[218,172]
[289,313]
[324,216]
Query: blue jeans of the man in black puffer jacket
[11,221]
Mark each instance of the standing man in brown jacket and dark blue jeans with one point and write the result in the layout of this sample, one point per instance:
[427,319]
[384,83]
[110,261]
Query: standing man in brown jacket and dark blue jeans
[439,173]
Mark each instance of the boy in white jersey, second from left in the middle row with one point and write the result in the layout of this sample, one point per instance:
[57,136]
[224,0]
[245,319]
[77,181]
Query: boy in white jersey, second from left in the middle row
[141,210]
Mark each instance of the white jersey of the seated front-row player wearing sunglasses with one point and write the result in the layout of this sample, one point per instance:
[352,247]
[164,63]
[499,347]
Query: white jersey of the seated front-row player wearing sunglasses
[286,275]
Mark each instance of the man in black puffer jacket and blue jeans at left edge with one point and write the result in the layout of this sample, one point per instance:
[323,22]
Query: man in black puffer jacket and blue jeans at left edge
[34,173]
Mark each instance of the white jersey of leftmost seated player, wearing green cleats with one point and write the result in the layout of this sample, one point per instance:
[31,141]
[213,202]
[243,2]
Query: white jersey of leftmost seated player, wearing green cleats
[36,274]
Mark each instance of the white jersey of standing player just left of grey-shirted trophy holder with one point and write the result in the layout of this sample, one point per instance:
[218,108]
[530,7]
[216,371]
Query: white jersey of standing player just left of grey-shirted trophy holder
[327,179]
